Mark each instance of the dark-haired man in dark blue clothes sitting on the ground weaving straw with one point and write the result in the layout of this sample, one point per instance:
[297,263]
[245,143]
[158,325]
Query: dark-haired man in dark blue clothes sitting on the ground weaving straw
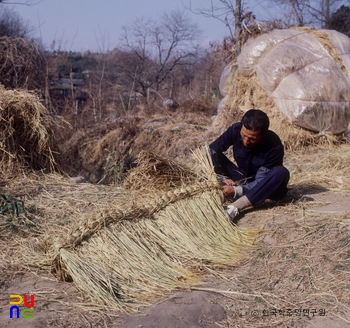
[258,152]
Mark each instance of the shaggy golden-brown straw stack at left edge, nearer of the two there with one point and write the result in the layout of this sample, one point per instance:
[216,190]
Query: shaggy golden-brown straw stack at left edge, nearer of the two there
[26,132]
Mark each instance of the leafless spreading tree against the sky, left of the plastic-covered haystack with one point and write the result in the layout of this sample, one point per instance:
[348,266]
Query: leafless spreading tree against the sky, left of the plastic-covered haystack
[157,48]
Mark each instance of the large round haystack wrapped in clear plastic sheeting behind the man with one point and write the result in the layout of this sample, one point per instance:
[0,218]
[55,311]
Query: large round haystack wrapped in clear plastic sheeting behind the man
[299,77]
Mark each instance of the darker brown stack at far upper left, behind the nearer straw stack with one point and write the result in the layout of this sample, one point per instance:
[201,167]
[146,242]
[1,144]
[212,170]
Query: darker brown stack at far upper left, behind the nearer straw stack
[22,64]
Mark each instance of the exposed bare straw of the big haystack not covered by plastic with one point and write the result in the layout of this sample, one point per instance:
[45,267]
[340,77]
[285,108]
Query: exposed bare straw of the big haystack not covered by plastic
[246,92]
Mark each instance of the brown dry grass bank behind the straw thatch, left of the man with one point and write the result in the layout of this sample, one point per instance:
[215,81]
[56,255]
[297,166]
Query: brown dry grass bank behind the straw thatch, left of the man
[103,154]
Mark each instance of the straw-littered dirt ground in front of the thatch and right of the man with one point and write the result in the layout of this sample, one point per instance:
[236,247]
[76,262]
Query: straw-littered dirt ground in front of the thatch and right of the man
[296,276]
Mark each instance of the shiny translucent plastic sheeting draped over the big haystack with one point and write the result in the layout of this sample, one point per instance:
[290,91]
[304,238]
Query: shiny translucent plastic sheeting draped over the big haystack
[303,79]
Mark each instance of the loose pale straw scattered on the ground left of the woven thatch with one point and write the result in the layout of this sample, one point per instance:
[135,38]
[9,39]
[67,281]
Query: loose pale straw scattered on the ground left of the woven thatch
[53,204]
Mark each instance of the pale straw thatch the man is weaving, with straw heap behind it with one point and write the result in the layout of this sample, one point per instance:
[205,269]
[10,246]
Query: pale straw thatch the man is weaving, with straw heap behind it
[152,242]
